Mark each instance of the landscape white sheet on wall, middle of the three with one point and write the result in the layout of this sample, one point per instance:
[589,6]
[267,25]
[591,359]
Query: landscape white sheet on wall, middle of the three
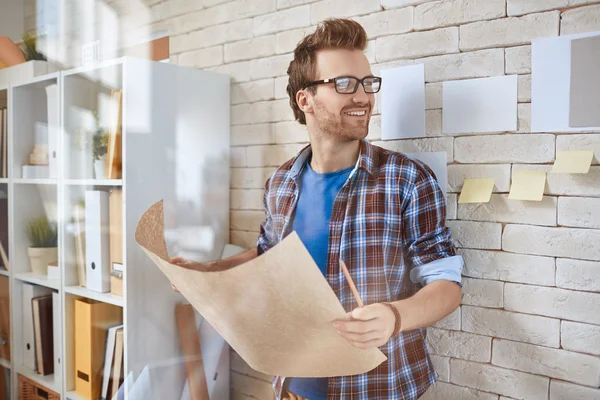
[480,105]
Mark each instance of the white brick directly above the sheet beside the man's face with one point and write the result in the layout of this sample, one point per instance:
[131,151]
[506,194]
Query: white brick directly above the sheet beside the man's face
[417,44]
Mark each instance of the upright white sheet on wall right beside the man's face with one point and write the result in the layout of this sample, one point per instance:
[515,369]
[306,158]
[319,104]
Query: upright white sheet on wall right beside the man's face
[403,102]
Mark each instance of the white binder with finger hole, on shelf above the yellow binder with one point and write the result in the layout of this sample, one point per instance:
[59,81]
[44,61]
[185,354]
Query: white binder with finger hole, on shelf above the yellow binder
[97,241]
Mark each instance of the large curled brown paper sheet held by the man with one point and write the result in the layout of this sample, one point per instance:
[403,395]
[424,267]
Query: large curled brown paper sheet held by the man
[275,311]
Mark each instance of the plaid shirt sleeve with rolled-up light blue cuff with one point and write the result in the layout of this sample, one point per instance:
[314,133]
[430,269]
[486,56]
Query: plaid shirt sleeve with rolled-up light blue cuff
[427,240]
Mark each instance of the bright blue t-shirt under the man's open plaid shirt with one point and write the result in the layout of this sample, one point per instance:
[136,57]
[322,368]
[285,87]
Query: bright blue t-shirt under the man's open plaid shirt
[311,223]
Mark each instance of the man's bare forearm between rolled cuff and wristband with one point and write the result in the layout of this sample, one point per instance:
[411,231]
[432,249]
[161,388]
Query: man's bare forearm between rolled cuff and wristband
[429,305]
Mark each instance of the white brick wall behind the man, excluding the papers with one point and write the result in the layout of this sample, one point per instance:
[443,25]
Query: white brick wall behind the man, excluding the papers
[529,324]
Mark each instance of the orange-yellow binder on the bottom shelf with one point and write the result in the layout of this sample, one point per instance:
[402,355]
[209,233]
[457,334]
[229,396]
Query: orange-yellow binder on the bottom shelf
[92,320]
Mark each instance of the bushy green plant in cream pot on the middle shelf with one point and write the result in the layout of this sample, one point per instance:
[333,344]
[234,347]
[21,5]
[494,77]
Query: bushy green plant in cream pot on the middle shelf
[43,248]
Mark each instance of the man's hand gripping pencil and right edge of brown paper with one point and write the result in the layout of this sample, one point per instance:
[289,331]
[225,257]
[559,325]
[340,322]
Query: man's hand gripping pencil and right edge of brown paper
[369,326]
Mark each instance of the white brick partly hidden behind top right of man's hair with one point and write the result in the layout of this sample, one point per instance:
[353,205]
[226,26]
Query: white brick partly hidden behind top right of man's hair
[392,22]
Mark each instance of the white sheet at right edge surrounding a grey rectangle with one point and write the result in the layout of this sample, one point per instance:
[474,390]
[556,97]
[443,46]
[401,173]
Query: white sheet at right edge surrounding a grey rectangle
[551,84]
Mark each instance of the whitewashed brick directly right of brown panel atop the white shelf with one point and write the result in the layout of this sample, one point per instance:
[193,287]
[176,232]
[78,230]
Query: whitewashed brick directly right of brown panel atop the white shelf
[212,36]
